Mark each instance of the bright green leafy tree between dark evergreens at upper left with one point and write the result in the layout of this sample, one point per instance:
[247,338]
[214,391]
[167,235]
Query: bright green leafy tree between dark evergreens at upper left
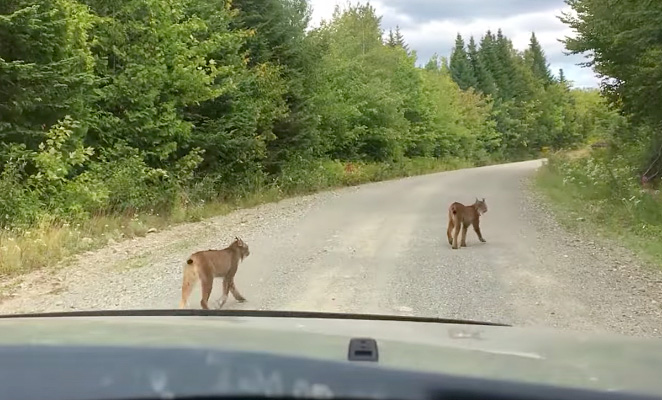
[153,58]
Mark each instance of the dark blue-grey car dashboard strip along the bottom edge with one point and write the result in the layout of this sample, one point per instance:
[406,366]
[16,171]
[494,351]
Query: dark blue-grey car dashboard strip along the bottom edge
[46,372]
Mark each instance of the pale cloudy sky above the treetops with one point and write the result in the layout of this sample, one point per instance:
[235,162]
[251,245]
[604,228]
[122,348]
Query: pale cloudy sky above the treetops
[430,26]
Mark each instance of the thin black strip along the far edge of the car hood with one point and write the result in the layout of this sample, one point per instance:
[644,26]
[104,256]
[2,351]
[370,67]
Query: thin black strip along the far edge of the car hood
[249,313]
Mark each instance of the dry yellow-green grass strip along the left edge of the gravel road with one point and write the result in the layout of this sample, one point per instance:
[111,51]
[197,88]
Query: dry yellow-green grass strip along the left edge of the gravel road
[51,242]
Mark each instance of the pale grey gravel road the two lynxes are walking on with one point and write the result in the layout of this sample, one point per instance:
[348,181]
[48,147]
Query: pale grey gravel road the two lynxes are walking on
[381,248]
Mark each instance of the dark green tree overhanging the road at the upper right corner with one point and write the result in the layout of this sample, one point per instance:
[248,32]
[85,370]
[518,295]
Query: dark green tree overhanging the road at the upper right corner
[622,40]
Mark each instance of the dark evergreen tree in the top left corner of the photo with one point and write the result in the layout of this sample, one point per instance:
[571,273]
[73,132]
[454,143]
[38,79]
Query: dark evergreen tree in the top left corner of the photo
[46,67]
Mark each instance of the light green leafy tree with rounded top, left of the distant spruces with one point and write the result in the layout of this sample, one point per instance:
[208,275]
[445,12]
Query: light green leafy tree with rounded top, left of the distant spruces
[362,89]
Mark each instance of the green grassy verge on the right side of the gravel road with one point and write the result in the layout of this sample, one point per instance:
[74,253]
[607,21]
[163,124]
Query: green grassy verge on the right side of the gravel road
[615,208]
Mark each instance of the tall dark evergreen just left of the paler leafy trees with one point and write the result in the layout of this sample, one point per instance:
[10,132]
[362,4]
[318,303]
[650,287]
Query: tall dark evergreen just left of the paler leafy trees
[236,128]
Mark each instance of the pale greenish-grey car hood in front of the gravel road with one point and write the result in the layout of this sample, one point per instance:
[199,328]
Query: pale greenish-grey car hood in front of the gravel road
[542,356]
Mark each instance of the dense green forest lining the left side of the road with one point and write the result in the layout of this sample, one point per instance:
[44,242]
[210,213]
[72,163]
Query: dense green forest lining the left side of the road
[150,107]
